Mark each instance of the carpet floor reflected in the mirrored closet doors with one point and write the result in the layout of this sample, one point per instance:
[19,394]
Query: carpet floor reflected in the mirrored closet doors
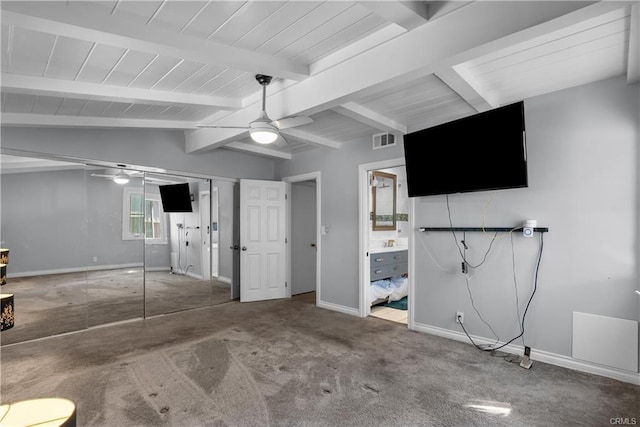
[59,303]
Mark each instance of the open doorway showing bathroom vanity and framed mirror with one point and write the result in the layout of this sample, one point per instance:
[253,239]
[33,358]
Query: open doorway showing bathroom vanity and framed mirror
[385,230]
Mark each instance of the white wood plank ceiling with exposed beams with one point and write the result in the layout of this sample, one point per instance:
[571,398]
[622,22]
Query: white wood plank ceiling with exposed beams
[355,68]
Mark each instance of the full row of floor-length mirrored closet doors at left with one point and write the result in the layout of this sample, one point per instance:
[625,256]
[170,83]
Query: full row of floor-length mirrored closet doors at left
[93,245]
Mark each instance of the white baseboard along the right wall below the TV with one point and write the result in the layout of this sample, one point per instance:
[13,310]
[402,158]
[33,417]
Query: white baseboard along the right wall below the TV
[538,355]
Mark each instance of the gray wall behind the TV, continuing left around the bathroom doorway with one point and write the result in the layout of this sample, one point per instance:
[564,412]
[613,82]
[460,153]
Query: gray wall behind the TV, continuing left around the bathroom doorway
[583,161]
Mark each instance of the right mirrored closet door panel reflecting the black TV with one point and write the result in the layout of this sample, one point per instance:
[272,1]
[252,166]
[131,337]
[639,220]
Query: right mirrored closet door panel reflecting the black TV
[176,213]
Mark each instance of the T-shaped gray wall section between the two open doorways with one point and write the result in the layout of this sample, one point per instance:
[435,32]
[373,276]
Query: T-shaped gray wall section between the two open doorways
[339,186]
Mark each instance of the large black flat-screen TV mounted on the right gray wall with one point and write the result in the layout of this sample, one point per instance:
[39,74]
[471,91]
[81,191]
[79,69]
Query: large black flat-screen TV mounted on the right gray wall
[485,151]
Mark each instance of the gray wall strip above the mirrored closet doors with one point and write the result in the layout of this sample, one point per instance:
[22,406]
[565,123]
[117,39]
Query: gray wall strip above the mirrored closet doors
[145,147]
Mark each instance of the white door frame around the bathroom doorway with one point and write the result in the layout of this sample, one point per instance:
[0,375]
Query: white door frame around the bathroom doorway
[363,215]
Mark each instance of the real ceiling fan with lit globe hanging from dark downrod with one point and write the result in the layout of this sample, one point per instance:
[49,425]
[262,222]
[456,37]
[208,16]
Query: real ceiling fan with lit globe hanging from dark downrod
[263,130]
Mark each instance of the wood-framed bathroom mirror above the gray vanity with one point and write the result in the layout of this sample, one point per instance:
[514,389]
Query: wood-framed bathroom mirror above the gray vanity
[383,194]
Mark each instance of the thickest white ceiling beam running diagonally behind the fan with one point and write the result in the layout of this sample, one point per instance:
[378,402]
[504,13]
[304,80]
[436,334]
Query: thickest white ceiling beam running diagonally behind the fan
[469,32]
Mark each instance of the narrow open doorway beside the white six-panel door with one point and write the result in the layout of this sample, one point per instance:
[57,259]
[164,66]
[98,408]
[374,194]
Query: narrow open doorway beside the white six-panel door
[304,217]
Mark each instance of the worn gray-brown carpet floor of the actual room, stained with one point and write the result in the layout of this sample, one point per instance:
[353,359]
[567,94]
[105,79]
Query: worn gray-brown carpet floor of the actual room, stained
[289,363]
